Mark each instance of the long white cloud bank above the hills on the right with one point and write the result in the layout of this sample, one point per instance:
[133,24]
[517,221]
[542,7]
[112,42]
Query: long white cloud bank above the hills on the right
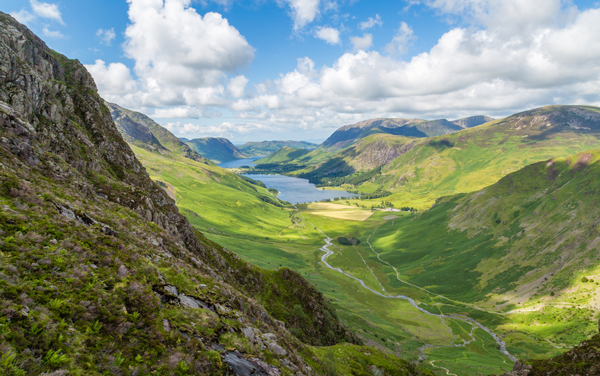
[485,67]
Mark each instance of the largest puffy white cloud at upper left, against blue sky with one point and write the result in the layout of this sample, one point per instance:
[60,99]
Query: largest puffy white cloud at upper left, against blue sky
[176,46]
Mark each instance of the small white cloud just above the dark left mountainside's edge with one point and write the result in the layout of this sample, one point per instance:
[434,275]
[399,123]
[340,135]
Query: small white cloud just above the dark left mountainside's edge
[112,80]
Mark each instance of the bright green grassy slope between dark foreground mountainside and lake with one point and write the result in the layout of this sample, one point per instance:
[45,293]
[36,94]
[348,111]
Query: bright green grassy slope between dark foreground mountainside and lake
[214,199]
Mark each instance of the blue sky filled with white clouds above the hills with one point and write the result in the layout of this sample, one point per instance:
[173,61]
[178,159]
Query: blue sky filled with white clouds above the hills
[254,70]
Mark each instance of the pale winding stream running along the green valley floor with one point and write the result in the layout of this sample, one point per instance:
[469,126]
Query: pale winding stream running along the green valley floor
[468,320]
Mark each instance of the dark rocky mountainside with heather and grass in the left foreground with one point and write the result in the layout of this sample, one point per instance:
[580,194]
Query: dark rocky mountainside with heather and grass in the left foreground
[101,274]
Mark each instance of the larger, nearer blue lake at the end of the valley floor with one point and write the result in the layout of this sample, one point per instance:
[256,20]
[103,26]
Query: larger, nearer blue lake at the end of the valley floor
[296,190]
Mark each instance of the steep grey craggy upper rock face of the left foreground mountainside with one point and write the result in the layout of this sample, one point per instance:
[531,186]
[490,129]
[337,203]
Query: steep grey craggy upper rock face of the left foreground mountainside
[51,105]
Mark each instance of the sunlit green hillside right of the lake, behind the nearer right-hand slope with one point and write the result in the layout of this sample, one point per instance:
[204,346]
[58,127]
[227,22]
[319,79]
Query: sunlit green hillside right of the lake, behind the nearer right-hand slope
[464,161]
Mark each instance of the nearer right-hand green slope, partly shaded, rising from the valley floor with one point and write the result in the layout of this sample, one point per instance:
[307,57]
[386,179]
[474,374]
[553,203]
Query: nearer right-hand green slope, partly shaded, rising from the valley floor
[526,247]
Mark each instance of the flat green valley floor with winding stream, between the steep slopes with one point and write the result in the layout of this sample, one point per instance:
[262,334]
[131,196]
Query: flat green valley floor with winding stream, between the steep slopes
[442,333]
